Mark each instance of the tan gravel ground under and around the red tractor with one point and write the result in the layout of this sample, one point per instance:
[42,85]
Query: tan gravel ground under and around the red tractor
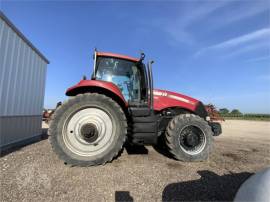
[140,174]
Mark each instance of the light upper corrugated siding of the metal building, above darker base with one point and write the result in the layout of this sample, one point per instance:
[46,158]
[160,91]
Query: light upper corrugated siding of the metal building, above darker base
[22,75]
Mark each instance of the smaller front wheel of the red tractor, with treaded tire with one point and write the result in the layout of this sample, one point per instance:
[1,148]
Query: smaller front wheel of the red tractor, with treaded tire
[174,140]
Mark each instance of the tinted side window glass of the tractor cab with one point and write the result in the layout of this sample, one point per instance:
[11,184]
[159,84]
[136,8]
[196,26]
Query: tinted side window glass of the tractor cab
[123,73]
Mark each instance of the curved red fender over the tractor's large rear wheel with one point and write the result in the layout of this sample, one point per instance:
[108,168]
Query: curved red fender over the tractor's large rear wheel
[97,83]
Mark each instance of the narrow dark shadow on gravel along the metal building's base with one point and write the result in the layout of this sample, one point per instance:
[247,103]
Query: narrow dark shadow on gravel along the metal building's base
[20,145]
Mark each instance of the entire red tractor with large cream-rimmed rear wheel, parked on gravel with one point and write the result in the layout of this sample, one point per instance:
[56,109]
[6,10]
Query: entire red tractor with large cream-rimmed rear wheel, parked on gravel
[119,104]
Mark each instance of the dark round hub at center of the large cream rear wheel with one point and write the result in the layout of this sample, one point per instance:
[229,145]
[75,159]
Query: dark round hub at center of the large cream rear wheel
[89,132]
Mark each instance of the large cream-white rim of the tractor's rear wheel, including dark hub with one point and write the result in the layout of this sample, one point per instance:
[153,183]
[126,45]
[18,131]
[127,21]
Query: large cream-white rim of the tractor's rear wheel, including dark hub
[88,132]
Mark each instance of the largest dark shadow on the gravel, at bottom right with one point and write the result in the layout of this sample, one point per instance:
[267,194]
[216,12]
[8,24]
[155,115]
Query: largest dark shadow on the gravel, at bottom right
[210,187]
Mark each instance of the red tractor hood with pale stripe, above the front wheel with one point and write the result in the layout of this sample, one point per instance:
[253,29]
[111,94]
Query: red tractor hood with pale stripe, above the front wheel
[166,99]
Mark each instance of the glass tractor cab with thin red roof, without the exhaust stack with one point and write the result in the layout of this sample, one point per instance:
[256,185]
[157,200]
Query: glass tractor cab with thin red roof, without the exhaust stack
[128,75]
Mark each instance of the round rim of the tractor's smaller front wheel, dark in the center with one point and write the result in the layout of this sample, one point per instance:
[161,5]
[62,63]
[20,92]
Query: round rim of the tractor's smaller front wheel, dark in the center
[192,140]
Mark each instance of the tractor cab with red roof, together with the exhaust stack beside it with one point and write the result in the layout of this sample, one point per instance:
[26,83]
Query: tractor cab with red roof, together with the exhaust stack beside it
[129,74]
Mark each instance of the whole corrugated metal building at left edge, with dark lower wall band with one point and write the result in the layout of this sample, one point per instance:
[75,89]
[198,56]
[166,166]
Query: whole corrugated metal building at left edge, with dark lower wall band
[22,87]
